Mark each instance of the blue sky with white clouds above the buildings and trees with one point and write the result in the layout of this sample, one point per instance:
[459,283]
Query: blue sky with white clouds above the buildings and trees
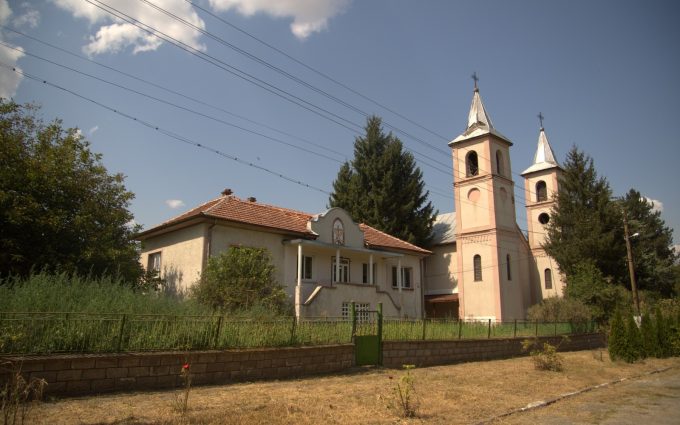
[604,74]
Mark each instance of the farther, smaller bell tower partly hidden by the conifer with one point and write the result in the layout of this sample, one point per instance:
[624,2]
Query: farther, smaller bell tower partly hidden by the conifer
[541,183]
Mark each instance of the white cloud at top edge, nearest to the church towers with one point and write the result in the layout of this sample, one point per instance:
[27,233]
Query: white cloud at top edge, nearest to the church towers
[308,15]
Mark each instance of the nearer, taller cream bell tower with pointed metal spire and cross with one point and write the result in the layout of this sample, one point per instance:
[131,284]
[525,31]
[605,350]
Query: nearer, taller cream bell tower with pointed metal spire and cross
[486,229]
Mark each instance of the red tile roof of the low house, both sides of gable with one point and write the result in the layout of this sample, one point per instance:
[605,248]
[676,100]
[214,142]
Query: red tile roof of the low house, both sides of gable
[233,209]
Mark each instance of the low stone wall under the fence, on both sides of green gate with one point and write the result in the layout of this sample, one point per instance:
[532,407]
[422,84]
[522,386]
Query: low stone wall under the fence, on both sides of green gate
[82,374]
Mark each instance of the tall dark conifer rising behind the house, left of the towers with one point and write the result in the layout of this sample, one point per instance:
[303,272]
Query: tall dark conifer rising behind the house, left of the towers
[383,187]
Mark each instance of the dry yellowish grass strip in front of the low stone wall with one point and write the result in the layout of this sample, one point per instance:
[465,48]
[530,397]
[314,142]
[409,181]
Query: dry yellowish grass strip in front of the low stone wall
[465,393]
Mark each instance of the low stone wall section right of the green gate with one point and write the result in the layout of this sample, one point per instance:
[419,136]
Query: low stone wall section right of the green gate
[428,353]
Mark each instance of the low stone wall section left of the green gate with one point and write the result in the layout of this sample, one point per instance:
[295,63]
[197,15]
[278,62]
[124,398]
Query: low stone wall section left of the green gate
[78,374]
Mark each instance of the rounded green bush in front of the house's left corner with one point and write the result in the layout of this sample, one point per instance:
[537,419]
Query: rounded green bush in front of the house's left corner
[241,278]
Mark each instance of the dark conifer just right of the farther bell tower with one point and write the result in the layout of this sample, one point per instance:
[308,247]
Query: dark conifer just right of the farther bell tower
[585,226]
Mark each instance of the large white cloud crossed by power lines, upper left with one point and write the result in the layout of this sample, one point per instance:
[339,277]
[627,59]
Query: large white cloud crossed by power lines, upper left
[114,34]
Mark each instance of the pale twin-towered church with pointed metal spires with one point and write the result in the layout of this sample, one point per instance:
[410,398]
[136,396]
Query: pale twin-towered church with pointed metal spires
[483,266]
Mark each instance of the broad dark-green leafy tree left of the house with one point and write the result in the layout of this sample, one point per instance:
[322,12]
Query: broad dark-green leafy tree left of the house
[59,206]
